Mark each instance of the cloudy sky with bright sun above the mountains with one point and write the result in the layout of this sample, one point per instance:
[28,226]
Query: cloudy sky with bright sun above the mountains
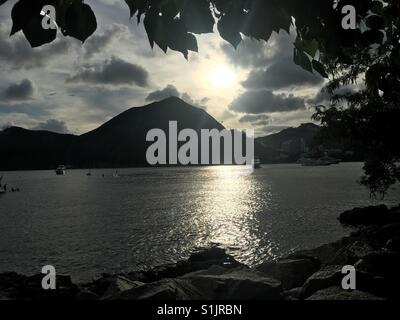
[70,87]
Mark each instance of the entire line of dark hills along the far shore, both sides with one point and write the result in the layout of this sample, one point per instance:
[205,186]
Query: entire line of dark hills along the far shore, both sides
[121,142]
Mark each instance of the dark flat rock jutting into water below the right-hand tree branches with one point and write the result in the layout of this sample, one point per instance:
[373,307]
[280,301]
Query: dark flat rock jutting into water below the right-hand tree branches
[373,215]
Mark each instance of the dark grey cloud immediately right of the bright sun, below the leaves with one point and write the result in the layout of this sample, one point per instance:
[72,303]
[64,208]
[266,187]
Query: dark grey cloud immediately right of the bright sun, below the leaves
[282,74]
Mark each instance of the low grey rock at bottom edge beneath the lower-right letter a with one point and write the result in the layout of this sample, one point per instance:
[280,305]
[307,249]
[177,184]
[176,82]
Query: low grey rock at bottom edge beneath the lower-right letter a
[337,293]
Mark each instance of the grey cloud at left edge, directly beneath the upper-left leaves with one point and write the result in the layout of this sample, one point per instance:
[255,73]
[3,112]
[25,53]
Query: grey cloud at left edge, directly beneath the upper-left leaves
[16,53]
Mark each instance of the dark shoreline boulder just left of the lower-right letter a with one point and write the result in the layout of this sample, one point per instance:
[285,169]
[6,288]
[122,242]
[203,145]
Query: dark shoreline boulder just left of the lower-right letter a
[291,273]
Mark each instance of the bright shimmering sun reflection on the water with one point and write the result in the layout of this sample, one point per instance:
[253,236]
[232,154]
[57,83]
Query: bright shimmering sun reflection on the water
[226,207]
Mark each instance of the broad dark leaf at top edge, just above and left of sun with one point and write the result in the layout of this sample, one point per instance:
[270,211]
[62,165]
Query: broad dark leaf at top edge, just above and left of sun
[197,16]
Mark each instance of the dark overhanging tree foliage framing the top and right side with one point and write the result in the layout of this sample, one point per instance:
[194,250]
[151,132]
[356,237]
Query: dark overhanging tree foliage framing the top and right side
[367,55]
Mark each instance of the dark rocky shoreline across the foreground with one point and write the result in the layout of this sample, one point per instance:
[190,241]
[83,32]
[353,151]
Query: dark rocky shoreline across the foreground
[373,249]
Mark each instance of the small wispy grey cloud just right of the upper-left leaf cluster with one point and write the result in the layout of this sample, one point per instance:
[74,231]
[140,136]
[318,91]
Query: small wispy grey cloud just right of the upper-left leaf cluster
[99,42]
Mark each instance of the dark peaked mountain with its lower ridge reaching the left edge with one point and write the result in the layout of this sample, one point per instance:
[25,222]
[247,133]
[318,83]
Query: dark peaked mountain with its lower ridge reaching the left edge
[119,142]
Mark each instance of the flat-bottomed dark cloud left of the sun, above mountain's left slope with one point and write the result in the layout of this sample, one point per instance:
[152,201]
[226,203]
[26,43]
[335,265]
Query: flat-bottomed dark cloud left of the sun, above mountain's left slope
[113,72]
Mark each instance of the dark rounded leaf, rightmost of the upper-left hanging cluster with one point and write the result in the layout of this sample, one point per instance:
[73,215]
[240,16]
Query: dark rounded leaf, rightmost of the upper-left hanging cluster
[80,21]
